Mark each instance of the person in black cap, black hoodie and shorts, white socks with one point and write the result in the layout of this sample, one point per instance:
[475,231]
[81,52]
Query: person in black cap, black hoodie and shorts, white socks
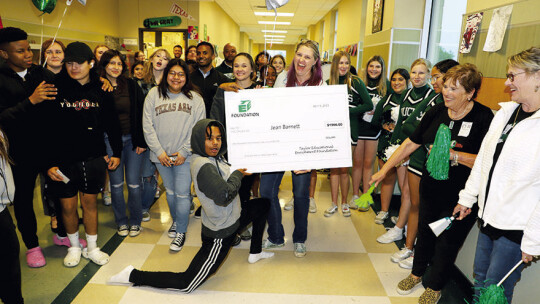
[77,120]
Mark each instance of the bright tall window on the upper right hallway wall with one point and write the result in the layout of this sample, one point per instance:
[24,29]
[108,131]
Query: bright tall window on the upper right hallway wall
[444,28]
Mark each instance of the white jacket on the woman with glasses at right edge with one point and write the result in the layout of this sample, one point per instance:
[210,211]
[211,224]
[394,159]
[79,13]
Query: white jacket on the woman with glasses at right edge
[513,202]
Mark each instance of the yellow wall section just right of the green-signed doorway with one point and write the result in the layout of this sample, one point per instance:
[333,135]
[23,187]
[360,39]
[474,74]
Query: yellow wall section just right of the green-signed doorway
[221,28]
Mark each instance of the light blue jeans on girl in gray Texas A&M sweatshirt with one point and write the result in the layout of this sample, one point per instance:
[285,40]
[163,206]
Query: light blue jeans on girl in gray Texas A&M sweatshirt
[177,182]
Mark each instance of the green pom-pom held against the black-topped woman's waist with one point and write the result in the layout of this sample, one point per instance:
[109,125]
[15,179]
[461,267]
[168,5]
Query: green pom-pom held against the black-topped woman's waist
[438,162]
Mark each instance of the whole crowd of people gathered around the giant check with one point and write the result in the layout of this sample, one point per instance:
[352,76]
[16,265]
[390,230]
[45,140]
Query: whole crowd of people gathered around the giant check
[81,114]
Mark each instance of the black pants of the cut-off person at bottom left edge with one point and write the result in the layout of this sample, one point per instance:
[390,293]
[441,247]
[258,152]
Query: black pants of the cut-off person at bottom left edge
[10,268]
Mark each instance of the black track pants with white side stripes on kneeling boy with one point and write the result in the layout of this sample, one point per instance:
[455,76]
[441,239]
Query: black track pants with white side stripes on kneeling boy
[211,255]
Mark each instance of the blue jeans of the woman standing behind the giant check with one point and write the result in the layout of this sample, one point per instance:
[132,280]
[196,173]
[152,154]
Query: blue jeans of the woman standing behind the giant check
[269,189]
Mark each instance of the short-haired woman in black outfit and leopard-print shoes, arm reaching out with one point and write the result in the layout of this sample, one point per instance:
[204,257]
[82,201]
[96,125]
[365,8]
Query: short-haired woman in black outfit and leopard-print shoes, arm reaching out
[468,122]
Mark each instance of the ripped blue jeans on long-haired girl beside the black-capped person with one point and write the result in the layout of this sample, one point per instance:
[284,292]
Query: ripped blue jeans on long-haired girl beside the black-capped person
[130,163]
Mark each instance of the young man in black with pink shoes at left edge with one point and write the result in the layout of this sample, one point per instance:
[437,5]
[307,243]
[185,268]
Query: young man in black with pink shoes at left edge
[23,88]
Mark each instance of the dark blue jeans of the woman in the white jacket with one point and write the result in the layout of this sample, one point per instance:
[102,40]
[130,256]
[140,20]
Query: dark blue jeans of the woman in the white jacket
[492,261]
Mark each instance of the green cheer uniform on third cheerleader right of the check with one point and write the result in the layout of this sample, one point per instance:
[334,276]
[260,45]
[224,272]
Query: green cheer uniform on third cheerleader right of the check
[383,115]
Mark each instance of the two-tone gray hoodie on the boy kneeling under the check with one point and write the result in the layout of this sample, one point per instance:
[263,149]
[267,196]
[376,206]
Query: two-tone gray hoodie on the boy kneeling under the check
[216,187]
